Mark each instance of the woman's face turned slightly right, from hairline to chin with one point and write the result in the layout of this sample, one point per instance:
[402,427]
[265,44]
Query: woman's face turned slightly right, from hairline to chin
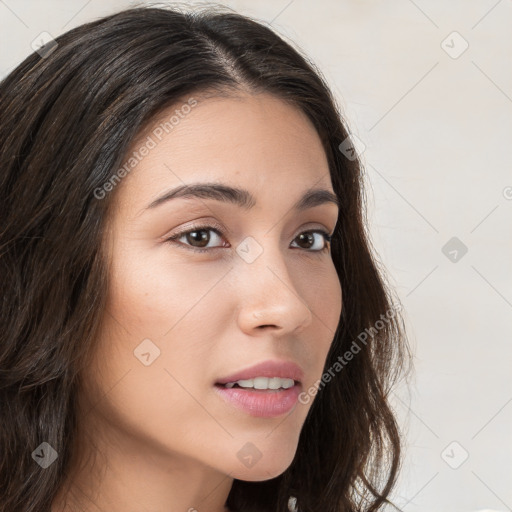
[178,321]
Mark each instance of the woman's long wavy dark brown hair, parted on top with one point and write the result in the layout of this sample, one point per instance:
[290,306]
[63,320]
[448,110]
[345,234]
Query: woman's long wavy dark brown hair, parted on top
[68,115]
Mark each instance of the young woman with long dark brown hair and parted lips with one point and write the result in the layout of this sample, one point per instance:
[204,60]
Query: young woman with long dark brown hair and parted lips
[192,316]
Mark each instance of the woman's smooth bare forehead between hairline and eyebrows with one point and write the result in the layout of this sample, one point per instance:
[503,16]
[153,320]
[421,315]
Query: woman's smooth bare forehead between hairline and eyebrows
[254,143]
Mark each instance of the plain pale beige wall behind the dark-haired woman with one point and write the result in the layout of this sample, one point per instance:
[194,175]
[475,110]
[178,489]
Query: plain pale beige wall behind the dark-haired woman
[438,156]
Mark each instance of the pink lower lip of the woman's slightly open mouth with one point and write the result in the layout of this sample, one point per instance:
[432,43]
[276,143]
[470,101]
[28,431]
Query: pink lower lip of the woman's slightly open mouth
[261,403]
